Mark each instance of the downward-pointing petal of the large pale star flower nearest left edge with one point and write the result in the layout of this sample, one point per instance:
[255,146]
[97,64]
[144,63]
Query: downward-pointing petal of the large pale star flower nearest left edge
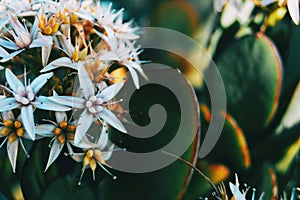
[28,120]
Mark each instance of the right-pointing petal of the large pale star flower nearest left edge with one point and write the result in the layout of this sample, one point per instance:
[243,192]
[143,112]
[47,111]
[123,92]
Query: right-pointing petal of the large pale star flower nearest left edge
[45,103]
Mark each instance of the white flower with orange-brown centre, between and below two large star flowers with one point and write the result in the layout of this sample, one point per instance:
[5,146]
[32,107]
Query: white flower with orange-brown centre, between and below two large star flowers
[62,133]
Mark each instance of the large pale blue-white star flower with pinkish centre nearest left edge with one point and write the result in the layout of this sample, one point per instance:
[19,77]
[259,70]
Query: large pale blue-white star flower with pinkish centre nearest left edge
[26,99]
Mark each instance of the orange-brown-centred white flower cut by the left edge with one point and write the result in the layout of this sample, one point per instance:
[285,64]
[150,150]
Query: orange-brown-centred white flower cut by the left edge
[13,132]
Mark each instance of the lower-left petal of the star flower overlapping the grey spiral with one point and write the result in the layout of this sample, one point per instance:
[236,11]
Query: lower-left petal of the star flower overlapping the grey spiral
[84,123]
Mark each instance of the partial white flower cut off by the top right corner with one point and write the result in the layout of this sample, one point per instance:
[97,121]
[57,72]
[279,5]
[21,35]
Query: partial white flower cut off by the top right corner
[292,5]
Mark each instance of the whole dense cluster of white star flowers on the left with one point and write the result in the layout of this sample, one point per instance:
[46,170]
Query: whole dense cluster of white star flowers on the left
[45,47]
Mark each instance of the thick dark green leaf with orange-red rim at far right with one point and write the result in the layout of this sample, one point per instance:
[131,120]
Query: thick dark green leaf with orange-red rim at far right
[252,73]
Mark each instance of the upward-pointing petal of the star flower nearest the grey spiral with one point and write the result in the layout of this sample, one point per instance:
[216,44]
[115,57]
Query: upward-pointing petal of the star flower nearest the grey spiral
[86,84]
